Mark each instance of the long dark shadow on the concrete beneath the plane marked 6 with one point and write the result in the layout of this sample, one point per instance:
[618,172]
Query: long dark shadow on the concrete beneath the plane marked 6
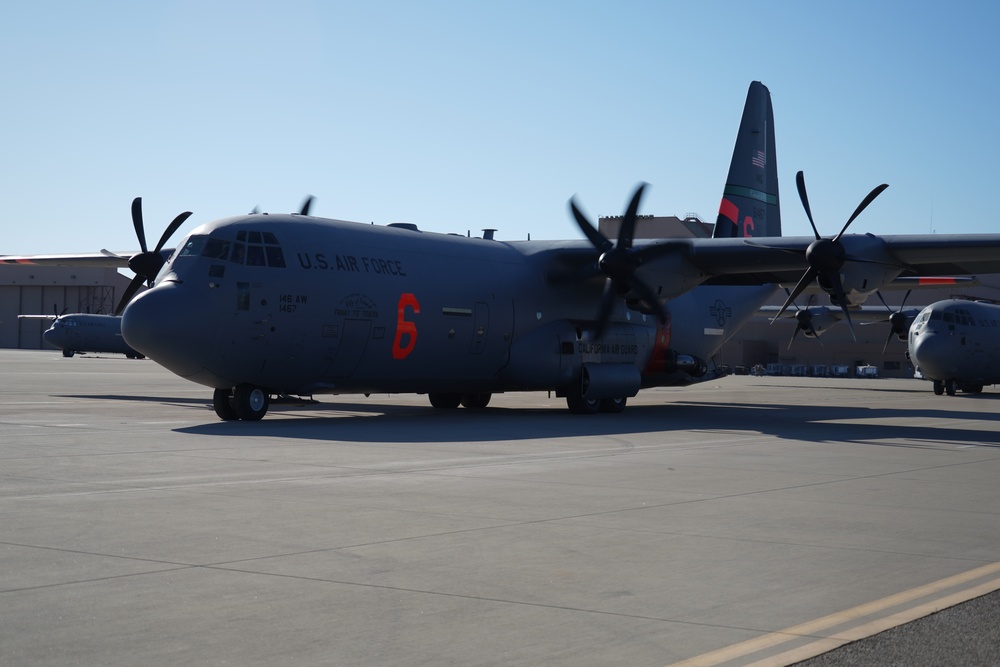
[367,422]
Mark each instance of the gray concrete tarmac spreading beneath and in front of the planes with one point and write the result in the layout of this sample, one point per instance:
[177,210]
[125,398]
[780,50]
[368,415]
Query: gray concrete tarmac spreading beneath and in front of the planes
[741,521]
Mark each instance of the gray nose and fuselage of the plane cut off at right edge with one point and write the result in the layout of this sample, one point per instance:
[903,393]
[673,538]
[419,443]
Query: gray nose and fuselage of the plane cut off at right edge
[954,343]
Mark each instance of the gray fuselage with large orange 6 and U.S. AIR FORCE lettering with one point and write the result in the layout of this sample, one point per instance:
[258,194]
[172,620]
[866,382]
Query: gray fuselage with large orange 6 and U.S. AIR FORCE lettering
[300,306]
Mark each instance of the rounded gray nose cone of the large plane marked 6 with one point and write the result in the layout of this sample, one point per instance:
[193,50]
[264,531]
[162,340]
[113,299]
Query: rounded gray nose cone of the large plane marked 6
[173,326]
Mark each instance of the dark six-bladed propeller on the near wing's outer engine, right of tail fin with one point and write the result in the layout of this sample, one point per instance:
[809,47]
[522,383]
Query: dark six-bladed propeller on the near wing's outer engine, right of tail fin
[826,256]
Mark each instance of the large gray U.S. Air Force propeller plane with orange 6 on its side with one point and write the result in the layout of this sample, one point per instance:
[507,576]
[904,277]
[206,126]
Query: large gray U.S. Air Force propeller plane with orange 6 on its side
[261,305]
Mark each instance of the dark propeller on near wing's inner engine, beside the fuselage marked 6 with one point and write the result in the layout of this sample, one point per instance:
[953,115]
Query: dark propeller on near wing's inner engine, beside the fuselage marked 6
[618,262]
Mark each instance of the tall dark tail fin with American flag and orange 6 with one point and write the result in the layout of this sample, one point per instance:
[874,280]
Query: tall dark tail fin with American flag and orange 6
[749,205]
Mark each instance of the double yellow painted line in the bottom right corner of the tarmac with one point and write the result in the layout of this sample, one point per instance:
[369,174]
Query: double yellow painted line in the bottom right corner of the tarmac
[865,629]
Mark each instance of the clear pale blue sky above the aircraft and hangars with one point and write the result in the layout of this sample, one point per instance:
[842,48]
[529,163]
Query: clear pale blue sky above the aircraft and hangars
[464,115]
